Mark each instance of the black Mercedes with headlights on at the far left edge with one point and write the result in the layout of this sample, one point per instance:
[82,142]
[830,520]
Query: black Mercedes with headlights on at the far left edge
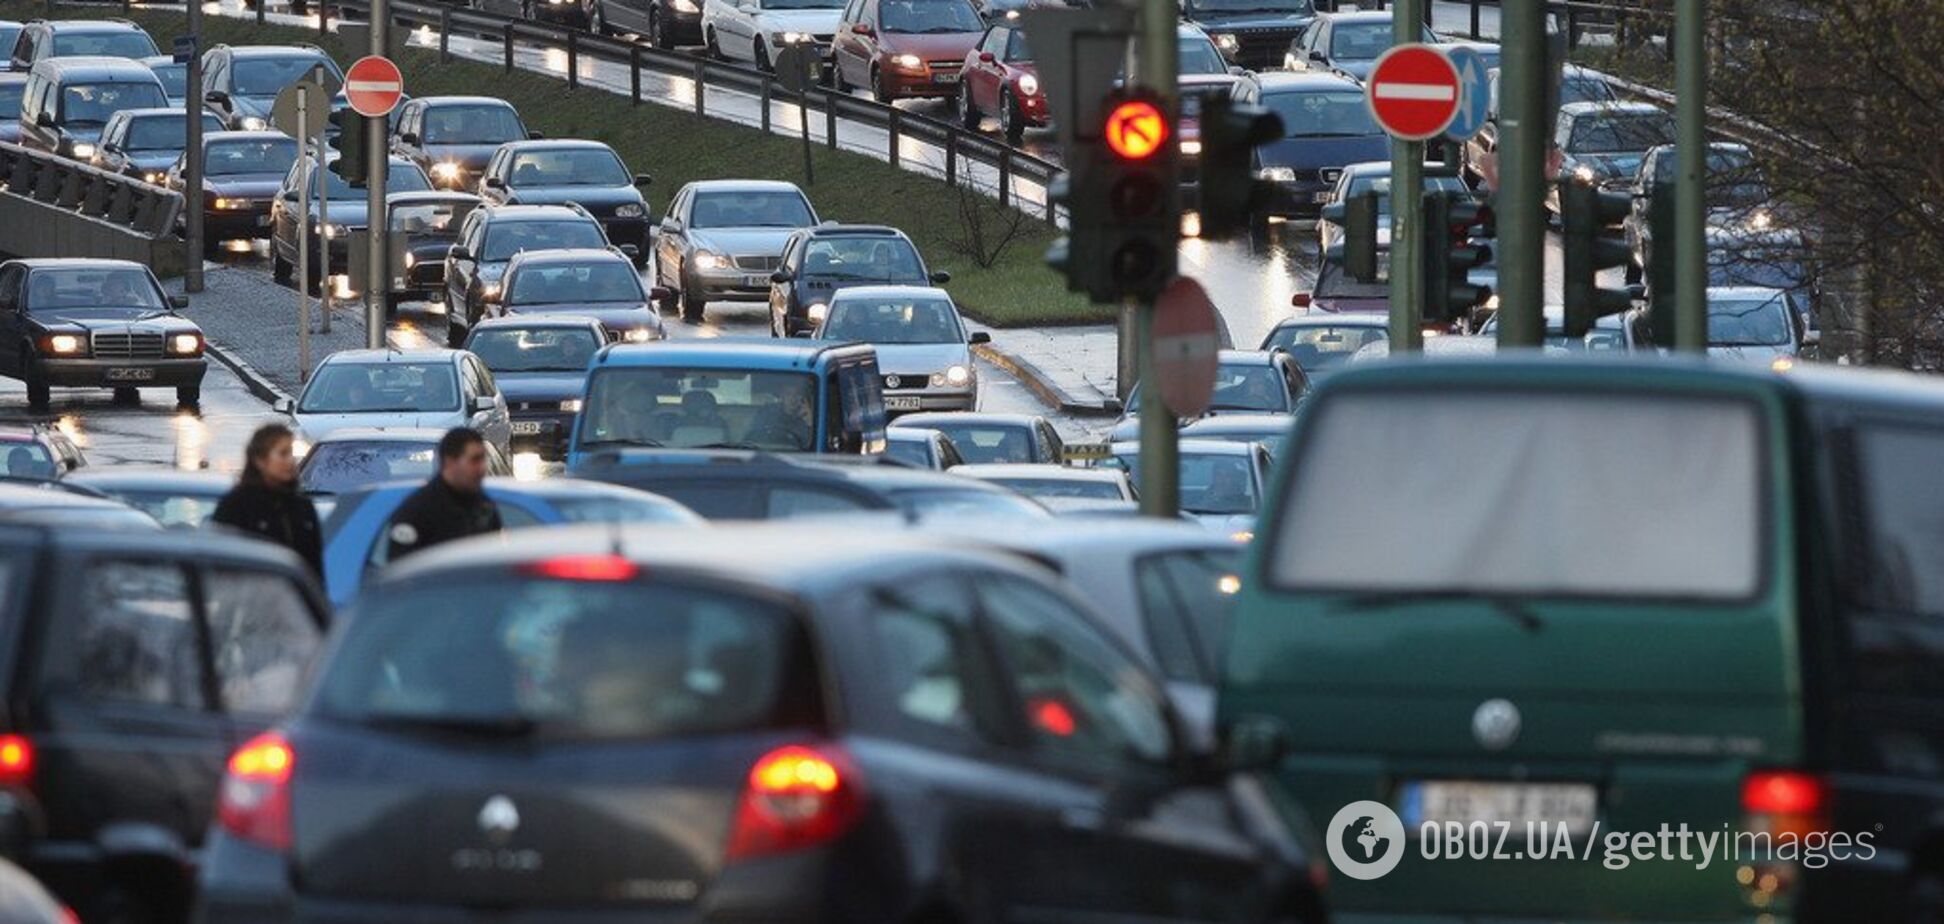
[90,324]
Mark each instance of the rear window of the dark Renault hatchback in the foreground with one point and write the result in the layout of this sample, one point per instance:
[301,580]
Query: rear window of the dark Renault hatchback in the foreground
[573,658]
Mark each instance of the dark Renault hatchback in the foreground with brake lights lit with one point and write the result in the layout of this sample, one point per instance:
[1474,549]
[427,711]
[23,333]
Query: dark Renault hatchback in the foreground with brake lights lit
[738,725]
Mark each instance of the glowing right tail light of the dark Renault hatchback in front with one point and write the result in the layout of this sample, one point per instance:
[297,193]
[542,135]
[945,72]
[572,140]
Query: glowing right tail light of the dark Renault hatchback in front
[796,799]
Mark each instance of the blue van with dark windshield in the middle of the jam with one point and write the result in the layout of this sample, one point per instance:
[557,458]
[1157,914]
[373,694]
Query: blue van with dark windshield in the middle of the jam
[732,394]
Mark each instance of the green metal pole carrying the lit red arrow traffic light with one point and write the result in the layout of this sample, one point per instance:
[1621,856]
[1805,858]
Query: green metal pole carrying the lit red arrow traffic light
[1158,69]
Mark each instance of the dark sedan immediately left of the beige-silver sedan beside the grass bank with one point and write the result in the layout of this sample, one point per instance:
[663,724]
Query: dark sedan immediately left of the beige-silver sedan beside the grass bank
[571,172]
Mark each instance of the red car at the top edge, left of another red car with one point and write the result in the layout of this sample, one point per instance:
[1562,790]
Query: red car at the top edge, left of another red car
[905,48]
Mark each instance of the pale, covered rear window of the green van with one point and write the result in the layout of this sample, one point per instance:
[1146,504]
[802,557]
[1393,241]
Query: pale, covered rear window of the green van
[1502,493]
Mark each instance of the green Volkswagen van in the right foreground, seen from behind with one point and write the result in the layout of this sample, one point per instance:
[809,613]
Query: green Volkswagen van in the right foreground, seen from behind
[1548,612]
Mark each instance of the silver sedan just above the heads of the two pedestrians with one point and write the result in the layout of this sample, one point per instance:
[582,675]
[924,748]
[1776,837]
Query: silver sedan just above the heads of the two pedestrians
[392,390]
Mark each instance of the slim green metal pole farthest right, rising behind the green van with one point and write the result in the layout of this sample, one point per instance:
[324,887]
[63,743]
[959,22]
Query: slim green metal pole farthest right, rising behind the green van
[1690,197]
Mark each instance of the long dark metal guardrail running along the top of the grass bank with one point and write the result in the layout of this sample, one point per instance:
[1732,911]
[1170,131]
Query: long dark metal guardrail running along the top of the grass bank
[957,143]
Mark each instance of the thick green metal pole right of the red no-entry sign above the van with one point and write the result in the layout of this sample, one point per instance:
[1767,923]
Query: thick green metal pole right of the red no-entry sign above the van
[1523,129]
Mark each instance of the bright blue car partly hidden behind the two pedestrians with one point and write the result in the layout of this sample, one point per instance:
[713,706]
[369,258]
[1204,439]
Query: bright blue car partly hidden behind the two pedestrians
[357,544]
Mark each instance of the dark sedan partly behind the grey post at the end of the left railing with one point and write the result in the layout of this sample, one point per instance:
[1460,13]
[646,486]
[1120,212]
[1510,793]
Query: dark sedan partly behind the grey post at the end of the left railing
[242,174]
